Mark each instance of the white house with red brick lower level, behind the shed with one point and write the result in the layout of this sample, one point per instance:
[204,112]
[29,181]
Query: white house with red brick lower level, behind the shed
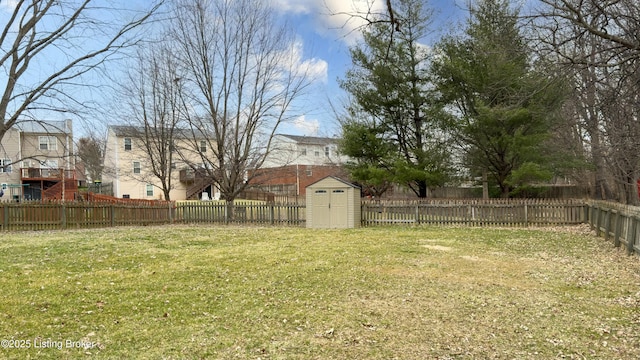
[298,161]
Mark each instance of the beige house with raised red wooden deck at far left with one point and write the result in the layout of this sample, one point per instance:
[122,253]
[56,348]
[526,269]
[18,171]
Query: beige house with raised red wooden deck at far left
[37,162]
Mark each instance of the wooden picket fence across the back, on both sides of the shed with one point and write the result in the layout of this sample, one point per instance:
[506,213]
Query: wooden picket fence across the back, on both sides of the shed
[472,212]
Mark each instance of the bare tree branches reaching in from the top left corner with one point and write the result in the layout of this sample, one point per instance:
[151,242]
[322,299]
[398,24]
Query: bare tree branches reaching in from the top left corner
[47,46]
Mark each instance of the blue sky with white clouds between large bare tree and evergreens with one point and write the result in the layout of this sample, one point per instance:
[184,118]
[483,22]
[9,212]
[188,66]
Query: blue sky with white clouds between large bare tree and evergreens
[326,39]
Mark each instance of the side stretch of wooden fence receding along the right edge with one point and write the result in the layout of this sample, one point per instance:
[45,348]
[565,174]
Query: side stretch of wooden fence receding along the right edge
[617,222]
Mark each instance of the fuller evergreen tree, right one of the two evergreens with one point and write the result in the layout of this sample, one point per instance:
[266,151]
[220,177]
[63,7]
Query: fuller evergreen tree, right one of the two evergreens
[502,107]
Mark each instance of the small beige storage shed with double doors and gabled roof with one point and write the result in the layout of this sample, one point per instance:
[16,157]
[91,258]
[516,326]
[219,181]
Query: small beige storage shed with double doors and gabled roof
[333,203]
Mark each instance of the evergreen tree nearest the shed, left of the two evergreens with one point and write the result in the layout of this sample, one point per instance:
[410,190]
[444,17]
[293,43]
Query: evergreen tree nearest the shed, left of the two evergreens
[390,87]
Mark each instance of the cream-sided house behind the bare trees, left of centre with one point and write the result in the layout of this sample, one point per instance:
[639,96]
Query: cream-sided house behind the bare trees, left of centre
[127,166]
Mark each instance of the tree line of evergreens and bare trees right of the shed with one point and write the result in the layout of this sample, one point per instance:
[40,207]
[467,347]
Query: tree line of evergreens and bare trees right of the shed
[514,98]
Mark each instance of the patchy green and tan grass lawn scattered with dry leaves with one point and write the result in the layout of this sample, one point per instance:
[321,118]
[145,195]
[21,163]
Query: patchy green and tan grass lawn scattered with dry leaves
[202,292]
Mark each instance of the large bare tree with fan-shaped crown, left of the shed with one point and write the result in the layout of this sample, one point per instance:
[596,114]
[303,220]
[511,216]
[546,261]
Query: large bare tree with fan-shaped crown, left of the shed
[244,76]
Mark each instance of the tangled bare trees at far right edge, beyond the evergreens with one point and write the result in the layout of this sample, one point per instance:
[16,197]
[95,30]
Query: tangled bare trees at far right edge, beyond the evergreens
[598,40]
